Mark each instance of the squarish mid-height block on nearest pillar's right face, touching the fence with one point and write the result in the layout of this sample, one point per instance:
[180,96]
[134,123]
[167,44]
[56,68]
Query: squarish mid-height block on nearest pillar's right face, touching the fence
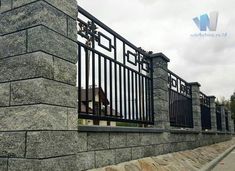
[65,71]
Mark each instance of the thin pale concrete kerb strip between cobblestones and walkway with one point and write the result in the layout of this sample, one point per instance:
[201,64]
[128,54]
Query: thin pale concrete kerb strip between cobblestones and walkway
[214,162]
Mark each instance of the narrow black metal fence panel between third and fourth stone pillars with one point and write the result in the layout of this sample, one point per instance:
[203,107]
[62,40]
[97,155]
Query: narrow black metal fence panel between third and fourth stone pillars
[205,111]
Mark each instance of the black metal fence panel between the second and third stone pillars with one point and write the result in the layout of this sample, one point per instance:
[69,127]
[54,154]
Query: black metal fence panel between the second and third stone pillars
[180,101]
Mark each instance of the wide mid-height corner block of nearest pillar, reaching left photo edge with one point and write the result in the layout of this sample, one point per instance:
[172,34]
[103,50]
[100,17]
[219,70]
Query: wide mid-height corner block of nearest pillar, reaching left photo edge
[26,66]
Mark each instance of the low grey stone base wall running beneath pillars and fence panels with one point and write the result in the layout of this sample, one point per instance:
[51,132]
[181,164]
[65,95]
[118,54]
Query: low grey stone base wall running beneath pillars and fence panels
[93,147]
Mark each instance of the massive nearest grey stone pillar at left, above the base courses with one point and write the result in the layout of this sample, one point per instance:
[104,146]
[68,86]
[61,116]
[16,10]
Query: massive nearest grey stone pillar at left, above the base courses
[38,54]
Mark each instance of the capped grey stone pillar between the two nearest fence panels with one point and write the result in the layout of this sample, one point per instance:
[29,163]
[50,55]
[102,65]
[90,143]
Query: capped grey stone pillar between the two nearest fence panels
[160,91]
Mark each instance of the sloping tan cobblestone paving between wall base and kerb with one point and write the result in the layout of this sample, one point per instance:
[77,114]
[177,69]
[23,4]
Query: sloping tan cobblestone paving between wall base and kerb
[189,160]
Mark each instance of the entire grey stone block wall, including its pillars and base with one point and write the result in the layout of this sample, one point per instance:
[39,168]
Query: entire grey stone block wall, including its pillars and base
[38,118]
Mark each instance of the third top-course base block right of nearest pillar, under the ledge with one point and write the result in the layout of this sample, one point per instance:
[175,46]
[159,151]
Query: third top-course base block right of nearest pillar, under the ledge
[118,140]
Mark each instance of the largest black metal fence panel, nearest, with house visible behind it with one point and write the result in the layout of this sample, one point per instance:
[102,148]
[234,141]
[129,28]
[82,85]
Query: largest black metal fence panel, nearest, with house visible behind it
[114,76]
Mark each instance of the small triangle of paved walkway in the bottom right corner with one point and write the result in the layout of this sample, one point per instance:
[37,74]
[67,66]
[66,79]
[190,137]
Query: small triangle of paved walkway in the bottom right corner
[227,164]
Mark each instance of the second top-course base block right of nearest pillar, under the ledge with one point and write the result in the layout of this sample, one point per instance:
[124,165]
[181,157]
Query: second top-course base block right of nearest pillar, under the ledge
[98,141]
